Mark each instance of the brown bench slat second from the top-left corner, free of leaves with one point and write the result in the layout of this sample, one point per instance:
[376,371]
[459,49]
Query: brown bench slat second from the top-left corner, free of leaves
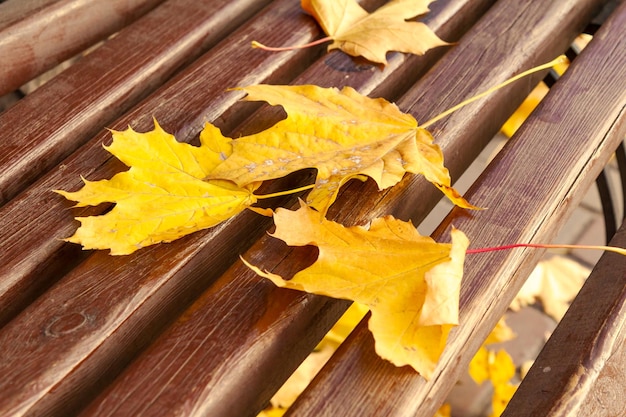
[107,83]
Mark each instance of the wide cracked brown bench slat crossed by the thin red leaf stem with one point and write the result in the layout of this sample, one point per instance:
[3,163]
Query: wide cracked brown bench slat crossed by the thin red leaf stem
[530,189]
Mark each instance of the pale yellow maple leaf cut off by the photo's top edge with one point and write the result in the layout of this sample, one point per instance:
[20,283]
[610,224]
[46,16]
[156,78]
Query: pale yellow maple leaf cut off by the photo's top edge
[372,35]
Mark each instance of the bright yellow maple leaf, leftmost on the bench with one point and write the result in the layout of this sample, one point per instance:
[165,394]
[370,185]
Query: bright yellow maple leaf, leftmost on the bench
[163,195]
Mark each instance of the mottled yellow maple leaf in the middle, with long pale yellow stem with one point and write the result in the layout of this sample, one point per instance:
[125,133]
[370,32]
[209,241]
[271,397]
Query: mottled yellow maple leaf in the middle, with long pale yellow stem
[341,133]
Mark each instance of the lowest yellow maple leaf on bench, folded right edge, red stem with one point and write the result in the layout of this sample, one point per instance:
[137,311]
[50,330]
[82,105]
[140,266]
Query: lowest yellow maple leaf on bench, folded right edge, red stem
[409,282]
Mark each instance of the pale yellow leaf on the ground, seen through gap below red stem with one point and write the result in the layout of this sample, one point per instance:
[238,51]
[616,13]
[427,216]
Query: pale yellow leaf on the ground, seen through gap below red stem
[555,282]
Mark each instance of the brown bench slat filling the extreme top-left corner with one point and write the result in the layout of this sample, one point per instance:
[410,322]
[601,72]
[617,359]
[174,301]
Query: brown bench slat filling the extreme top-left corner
[44,36]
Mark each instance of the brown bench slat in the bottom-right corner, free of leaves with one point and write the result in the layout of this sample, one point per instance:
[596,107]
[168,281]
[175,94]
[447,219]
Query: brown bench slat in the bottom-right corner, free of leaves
[580,370]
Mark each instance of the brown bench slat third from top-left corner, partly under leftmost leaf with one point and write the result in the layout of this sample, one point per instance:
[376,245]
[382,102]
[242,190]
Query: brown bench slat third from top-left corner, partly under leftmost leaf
[34,257]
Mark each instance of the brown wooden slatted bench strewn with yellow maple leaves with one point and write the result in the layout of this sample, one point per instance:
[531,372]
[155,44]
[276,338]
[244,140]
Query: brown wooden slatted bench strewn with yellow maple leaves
[185,328]
